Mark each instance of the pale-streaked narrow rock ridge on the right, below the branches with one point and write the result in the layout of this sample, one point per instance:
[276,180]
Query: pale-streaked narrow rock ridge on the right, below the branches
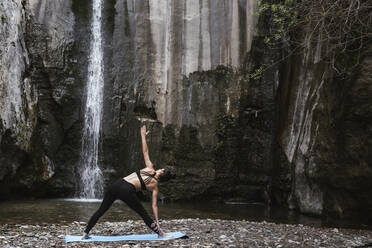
[300,130]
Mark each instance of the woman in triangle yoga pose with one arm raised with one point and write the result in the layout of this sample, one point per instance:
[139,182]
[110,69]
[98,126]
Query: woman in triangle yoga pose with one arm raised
[125,189]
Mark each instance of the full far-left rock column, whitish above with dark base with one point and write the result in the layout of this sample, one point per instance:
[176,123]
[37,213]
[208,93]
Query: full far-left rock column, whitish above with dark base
[17,94]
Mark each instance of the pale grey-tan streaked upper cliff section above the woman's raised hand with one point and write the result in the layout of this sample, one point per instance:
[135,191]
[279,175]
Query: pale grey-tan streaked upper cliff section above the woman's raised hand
[191,36]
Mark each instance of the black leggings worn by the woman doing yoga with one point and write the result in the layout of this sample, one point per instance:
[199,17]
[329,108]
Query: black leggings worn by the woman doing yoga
[126,192]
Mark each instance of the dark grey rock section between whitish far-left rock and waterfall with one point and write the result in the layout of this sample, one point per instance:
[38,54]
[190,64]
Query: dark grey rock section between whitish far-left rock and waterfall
[55,73]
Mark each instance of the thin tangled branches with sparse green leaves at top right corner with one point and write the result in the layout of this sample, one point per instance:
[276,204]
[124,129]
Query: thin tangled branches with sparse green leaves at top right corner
[340,28]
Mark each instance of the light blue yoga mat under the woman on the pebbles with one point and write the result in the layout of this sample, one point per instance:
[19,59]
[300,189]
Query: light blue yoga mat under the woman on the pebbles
[142,237]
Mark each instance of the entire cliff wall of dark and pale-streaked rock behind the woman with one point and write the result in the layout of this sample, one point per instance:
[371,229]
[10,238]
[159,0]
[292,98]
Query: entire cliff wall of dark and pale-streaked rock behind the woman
[298,136]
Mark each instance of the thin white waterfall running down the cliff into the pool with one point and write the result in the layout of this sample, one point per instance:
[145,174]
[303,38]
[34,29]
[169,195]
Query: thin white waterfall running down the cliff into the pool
[91,185]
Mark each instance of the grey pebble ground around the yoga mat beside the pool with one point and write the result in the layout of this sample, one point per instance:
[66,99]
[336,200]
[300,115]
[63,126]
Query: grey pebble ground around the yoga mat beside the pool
[201,232]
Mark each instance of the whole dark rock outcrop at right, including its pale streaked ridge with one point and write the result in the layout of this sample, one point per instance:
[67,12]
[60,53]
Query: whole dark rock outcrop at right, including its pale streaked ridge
[326,160]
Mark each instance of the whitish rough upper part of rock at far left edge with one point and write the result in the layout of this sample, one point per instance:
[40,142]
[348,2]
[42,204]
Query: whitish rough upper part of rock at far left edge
[16,97]
